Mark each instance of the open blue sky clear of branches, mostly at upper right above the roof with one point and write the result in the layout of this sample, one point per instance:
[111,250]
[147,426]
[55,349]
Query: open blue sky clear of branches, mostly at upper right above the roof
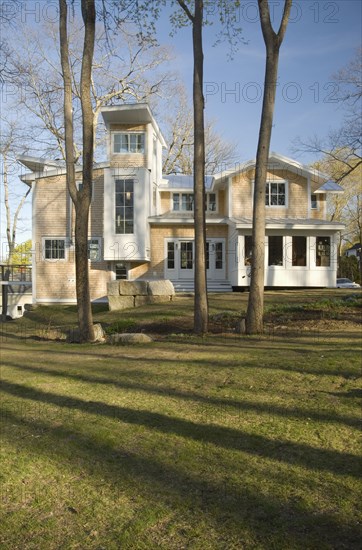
[321,38]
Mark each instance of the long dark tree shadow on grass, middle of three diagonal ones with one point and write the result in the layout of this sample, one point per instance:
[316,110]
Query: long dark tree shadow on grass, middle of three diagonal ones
[228,438]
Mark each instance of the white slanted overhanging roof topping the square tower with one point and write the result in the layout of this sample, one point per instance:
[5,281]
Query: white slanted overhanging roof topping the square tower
[131,113]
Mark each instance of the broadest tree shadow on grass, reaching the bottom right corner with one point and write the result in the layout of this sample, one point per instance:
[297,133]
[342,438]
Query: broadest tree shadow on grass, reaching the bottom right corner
[229,507]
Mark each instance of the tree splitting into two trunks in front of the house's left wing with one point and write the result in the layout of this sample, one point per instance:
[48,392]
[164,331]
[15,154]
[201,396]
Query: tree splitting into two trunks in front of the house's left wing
[81,198]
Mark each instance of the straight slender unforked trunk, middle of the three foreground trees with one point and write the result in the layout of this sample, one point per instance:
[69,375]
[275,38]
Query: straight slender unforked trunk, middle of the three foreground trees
[201,301]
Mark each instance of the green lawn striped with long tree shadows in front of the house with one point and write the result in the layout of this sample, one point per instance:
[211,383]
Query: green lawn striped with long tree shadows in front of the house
[225,442]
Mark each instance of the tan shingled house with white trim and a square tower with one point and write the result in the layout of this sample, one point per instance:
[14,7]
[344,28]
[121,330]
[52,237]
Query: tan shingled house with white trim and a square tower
[141,222]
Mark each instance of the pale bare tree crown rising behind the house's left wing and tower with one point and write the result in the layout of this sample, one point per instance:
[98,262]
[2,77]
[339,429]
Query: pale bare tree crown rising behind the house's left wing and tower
[123,70]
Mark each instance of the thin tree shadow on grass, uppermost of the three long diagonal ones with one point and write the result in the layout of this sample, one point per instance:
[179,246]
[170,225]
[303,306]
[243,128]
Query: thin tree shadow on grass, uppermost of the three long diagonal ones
[239,406]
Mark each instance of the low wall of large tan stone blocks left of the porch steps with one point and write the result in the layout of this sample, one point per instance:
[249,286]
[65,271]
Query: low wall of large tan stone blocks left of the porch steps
[128,294]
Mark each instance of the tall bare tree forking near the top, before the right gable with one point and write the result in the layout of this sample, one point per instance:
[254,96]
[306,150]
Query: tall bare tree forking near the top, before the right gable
[273,41]
